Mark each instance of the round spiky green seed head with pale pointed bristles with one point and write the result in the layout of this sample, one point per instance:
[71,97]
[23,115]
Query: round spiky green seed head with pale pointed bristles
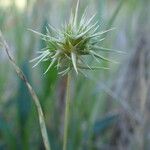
[67,48]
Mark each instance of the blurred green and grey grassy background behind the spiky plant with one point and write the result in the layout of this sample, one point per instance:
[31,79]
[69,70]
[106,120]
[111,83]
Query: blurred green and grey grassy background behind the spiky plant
[110,109]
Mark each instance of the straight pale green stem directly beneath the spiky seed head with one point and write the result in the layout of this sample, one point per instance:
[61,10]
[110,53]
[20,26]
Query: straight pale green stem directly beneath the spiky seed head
[67,109]
